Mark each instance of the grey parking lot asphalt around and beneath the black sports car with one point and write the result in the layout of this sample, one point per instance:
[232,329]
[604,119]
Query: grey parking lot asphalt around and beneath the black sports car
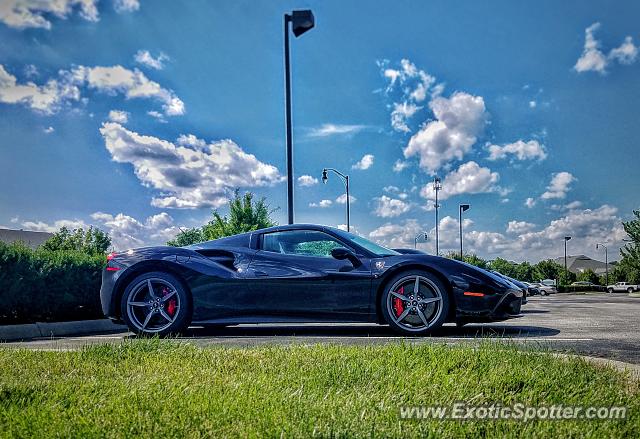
[594,324]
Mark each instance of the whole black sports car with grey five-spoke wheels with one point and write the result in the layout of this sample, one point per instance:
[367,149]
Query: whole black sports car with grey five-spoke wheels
[298,273]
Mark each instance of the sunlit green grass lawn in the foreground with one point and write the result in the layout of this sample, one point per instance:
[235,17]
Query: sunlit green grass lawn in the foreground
[154,388]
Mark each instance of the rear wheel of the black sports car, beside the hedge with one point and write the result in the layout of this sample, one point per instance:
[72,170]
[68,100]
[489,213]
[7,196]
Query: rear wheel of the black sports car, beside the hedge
[169,307]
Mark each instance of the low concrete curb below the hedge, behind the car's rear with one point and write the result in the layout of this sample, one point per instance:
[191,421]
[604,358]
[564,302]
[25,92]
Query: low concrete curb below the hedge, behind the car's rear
[58,329]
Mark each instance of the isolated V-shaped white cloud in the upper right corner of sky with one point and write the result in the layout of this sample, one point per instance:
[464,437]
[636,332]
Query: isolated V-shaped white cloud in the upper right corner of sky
[593,59]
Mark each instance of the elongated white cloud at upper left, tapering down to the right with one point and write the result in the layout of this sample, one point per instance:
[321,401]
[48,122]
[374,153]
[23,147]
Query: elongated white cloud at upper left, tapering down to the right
[132,83]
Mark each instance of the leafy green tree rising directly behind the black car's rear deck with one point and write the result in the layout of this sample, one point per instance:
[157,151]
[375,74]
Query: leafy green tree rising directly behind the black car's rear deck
[245,215]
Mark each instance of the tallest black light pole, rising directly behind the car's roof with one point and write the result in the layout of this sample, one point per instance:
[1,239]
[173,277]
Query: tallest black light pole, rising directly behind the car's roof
[301,21]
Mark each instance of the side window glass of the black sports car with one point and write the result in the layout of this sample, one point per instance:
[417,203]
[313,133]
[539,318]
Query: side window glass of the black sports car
[300,242]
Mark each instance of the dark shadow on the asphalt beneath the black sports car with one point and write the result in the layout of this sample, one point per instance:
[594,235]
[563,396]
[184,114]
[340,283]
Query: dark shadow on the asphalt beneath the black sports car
[337,331]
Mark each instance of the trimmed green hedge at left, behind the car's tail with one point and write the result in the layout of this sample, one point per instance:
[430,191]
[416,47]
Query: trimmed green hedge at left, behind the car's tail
[40,285]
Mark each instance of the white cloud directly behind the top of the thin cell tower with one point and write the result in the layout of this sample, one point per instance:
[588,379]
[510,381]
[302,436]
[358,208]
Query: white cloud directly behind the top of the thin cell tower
[469,178]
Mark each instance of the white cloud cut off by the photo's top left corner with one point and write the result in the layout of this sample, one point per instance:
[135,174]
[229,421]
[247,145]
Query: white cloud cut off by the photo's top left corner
[22,14]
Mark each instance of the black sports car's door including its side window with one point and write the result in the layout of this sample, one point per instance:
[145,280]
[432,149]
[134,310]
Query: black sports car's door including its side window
[294,276]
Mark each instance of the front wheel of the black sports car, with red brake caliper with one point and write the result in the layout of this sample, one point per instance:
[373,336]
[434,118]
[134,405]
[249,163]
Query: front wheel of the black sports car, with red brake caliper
[430,289]
